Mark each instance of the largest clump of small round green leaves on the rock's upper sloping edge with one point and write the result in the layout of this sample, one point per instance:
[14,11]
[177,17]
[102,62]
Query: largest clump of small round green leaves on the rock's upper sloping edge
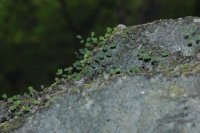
[86,64]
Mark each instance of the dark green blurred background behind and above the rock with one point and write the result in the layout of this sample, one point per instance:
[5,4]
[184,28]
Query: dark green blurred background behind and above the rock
[39,36]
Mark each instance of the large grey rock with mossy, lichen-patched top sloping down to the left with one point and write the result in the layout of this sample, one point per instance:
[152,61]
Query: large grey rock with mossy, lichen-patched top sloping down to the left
[150,85]
